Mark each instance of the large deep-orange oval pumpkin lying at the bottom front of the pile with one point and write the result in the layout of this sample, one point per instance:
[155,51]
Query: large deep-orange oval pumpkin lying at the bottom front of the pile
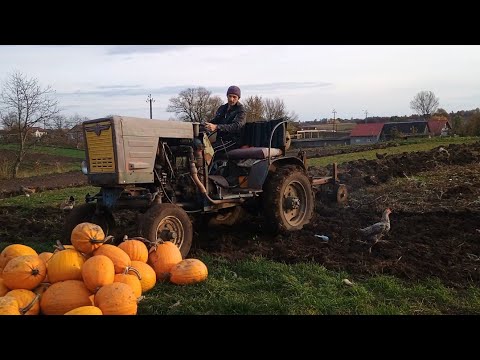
[63,296]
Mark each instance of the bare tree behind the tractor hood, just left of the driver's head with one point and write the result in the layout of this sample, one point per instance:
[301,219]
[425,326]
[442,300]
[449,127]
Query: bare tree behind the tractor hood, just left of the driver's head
[194,105]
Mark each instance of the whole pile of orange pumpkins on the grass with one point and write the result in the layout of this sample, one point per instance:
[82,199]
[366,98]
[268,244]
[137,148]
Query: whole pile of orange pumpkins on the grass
[91,276]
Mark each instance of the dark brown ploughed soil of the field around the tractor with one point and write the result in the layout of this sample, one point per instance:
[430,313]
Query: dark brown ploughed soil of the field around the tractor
[434,193]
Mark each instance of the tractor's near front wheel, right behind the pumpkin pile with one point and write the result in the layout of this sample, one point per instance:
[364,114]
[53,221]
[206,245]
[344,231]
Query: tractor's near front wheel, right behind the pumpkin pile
[168,222]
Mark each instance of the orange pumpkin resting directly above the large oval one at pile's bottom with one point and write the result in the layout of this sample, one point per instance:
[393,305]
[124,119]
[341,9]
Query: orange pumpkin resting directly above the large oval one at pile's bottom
[65,265]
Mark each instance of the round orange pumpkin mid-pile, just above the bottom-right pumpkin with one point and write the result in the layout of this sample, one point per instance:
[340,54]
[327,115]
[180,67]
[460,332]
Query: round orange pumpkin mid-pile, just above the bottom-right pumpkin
[98,271]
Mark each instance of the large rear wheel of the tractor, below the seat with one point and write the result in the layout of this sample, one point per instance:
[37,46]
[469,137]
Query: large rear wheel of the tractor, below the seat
[288,200]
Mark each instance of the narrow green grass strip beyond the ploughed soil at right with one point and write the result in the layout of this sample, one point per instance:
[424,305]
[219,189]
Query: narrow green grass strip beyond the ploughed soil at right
[405,146]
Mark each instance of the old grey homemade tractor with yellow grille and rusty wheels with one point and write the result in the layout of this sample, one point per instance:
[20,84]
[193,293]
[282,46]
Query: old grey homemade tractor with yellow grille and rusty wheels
[172,176]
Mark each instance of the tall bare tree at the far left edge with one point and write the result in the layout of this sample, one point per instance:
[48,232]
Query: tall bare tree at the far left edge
[32,106]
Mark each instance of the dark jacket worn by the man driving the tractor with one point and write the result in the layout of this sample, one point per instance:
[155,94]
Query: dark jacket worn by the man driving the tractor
[230,122]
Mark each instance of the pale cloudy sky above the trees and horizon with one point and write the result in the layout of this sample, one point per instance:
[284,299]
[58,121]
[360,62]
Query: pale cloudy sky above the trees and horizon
[313,81]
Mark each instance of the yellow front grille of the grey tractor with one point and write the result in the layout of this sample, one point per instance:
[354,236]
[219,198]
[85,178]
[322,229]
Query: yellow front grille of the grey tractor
[100,147]
